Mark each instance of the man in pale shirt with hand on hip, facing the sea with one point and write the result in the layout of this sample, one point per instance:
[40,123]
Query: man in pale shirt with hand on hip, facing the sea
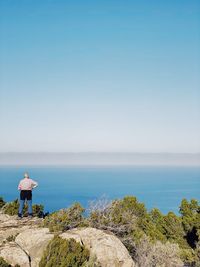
[25,186]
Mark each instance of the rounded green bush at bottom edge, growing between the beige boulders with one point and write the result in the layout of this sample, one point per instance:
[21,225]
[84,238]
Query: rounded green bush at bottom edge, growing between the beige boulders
[64,253]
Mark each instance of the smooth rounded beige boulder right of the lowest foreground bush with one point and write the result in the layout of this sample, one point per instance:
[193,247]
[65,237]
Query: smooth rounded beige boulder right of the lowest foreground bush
[108,249]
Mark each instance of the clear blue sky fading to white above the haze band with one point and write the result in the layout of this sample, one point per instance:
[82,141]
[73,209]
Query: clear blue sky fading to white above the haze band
[100,75]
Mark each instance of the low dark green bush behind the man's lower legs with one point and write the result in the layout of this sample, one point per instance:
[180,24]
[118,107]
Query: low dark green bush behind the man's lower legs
[11,208]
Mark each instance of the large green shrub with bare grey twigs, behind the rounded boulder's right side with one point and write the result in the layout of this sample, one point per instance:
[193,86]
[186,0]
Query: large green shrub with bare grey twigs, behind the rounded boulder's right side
[126,217]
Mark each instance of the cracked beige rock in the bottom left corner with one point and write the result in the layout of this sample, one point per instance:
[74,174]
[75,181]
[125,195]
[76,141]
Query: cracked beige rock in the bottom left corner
[25,237]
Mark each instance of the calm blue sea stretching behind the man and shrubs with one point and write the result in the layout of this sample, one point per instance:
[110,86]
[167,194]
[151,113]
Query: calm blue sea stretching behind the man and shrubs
[59,187]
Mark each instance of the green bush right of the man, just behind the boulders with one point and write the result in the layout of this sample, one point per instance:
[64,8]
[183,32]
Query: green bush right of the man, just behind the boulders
[65,219]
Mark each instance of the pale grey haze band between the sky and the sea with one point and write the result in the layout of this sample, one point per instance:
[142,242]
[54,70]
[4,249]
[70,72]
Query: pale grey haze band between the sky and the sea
[100,159]
